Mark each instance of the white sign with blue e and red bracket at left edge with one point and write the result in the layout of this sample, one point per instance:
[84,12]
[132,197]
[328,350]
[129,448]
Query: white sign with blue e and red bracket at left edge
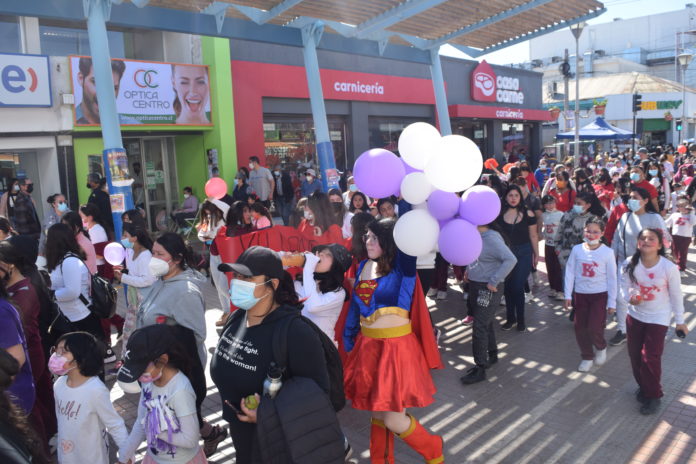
[24,81]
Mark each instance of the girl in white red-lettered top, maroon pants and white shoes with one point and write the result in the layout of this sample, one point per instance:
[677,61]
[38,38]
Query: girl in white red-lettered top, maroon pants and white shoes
[590,285]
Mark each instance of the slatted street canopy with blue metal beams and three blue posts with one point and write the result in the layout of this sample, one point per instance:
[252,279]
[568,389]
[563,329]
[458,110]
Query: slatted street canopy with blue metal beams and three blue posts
[406,30]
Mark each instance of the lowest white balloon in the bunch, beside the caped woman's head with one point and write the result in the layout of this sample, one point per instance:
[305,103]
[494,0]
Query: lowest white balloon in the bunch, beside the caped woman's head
[416,233]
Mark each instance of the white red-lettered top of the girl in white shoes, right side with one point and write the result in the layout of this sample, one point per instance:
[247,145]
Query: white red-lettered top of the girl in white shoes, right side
[591,271]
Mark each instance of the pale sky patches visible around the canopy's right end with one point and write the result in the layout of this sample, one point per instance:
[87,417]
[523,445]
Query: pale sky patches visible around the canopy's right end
[624,9]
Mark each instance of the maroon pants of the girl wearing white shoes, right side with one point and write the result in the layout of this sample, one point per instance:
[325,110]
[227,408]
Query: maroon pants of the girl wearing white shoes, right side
[590,319]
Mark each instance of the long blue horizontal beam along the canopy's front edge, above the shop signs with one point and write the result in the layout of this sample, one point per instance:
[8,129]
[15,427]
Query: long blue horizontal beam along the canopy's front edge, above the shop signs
[167,19]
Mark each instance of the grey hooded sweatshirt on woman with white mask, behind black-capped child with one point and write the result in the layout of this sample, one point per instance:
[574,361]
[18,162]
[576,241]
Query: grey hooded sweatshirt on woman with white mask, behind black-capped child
[177,300]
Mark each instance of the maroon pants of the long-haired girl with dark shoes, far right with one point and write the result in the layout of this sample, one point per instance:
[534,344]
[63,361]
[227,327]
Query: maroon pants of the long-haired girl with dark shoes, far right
[646,342]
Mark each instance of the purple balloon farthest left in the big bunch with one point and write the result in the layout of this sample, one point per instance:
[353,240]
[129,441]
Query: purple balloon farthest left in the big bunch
[378,173]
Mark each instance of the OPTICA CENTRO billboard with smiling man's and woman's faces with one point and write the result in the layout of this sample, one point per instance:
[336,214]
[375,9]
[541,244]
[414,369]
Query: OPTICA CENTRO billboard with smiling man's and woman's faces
[148,93]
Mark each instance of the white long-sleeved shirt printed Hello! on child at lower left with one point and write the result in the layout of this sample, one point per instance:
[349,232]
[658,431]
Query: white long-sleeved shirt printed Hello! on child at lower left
[85,414]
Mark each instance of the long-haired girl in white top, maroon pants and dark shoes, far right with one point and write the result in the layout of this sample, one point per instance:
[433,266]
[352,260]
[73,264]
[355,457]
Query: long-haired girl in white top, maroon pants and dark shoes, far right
[651,286]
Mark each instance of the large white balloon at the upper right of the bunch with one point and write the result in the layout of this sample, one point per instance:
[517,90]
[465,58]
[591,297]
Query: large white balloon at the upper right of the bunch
[456,165]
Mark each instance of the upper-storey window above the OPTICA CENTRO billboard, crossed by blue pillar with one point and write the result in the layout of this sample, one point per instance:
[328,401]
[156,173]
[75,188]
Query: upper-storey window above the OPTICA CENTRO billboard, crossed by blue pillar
[63,41]
